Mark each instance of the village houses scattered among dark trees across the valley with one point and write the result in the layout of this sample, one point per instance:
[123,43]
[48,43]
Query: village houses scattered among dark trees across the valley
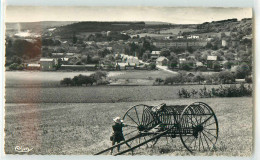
[159,49]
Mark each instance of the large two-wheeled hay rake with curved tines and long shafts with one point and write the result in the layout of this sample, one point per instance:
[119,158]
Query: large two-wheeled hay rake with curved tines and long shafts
[196,125]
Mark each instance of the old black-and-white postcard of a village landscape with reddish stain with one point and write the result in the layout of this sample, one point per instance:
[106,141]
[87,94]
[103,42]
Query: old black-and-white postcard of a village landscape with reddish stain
[168,81]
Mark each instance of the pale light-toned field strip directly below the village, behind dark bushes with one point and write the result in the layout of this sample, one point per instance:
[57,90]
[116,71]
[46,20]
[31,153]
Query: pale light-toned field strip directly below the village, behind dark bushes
[52,79]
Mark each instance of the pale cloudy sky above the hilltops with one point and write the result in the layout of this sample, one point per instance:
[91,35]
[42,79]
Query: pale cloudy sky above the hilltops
[178,15]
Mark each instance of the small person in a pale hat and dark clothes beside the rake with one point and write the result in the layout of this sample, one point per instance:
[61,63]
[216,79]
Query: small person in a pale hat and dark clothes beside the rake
[117,135]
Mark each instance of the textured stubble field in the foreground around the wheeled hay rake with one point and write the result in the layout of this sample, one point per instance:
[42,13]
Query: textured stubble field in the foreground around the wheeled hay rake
[84,128]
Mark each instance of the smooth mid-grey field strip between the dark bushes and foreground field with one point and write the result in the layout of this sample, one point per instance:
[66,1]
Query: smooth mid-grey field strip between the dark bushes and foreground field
[95,94]
